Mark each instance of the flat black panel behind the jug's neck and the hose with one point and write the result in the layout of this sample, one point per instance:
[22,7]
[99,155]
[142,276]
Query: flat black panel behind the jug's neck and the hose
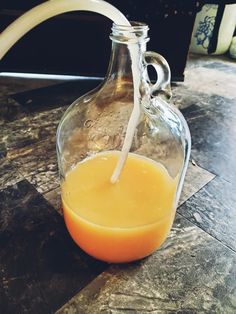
[78,43]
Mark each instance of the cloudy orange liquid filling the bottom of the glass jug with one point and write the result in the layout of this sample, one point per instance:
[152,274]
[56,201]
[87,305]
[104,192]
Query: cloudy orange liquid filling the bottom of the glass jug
[118,222]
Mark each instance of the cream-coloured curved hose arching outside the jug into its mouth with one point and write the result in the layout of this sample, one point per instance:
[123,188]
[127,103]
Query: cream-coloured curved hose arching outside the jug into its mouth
[51,8]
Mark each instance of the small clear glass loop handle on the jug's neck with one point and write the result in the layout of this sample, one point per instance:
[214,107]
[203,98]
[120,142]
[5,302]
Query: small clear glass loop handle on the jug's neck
[162,85]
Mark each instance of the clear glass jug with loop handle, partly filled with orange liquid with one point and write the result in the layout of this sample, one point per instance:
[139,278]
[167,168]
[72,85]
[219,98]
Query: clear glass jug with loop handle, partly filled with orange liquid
[92,132]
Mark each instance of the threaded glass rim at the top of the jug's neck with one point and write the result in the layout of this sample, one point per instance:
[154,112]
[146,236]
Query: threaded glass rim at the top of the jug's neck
[134,33]
